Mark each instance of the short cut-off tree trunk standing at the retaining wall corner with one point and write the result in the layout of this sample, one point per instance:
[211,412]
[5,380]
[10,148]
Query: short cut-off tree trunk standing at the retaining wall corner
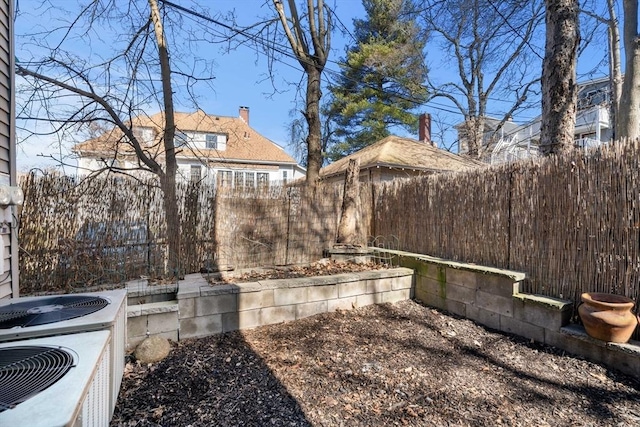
[350,204]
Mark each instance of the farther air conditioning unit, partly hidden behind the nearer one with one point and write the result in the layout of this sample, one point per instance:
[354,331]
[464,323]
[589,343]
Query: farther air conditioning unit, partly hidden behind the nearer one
[33,317]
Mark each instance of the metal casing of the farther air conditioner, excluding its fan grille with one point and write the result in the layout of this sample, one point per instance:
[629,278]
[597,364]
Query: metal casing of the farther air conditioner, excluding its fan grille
[112,318]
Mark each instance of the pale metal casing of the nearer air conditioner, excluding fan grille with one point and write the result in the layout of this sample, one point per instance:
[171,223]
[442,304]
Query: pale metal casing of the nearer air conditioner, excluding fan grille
[81,397]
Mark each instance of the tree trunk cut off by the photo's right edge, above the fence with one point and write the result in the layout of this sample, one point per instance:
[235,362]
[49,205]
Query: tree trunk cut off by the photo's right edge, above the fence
[628,120]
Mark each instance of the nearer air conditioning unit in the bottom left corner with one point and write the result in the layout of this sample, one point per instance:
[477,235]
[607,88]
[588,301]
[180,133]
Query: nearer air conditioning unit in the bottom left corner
[56,381]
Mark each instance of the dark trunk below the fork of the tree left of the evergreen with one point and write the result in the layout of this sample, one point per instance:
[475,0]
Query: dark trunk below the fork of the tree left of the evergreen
[312,115]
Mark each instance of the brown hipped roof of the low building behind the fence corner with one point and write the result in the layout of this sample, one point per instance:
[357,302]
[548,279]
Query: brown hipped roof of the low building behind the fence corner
[397,152]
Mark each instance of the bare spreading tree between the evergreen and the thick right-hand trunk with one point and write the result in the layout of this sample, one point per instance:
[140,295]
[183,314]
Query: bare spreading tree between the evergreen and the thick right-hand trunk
[490,47]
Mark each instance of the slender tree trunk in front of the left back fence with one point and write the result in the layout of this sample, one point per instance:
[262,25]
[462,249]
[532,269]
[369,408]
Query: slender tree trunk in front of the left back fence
[168,178]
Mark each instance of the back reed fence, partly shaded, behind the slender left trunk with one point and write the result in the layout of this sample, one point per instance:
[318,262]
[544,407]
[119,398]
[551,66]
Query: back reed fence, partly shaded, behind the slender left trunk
[75,234]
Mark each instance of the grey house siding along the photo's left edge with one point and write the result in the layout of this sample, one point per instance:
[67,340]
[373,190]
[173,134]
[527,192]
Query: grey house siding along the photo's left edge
[9,279]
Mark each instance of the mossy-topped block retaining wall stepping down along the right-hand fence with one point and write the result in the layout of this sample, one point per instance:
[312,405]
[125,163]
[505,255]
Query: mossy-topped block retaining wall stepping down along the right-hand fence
[492,297]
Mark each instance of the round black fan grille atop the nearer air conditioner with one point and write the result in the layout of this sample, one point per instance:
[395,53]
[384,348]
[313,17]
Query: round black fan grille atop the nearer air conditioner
[28,370]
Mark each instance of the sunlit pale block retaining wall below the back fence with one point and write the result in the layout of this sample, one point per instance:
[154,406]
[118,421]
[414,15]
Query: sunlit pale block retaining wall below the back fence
[201,309]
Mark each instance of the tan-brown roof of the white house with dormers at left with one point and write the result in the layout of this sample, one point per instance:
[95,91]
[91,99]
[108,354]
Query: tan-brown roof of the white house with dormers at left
[243,142]
